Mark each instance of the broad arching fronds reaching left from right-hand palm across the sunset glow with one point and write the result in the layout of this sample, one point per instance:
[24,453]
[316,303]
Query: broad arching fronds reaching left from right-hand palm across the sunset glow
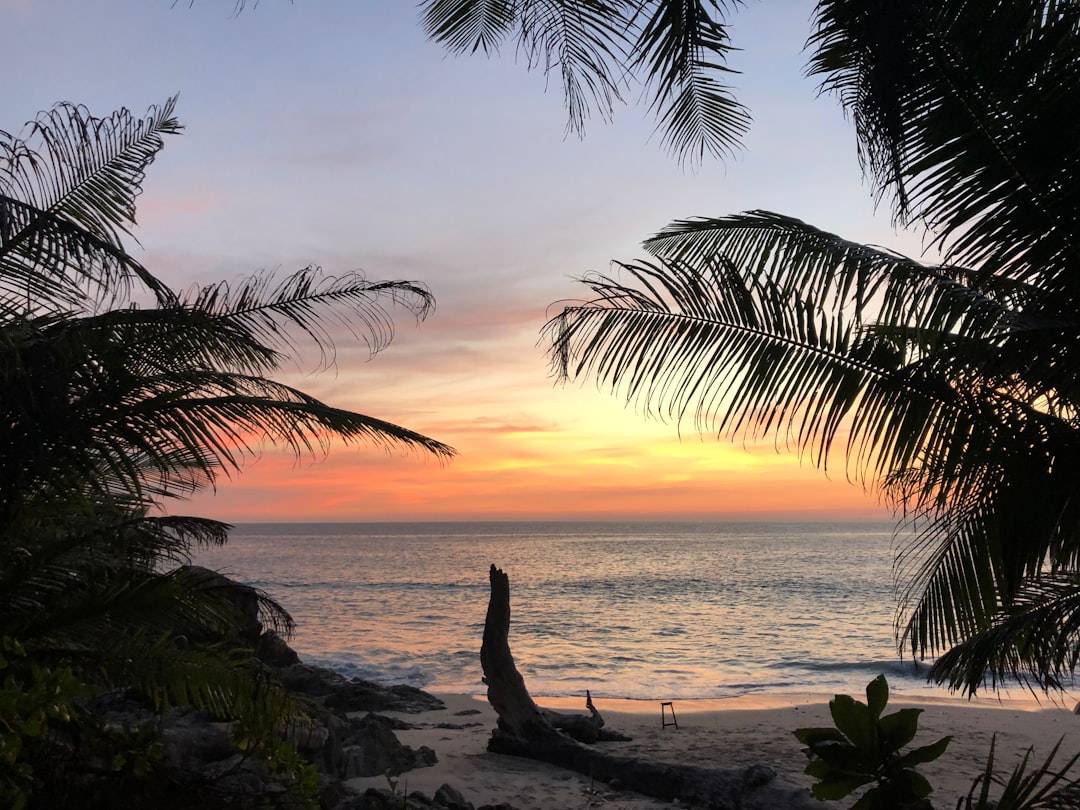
[760,326]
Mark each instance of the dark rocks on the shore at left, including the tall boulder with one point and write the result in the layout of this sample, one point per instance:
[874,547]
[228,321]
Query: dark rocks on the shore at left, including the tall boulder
[337,727]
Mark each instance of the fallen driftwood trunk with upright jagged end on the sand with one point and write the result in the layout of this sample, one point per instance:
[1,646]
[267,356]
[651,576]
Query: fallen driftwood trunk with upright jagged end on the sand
[526,731]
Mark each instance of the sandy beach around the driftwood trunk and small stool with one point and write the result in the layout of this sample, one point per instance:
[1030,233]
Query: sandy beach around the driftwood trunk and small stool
[730,734]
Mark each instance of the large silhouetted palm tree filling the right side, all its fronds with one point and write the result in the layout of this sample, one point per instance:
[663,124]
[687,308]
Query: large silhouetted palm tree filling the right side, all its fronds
[950,388]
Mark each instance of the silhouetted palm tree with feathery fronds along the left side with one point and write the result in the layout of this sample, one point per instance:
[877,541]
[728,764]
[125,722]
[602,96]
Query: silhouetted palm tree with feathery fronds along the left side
[109,409]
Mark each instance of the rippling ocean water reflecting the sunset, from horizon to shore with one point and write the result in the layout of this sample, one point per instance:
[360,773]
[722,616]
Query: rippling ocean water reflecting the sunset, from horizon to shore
[634,611]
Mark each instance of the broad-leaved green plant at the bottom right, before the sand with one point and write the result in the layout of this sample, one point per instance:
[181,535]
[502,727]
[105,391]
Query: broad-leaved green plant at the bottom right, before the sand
[866,748]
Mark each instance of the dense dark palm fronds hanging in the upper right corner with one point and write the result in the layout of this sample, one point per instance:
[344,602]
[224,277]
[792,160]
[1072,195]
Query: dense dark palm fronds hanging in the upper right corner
[958,109]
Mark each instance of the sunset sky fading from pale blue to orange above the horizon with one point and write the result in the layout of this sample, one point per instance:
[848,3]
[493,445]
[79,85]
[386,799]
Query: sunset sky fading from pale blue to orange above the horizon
[333,133]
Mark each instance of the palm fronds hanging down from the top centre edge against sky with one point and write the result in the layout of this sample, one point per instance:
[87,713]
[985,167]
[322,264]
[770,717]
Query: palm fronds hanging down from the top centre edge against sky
[678,51]
